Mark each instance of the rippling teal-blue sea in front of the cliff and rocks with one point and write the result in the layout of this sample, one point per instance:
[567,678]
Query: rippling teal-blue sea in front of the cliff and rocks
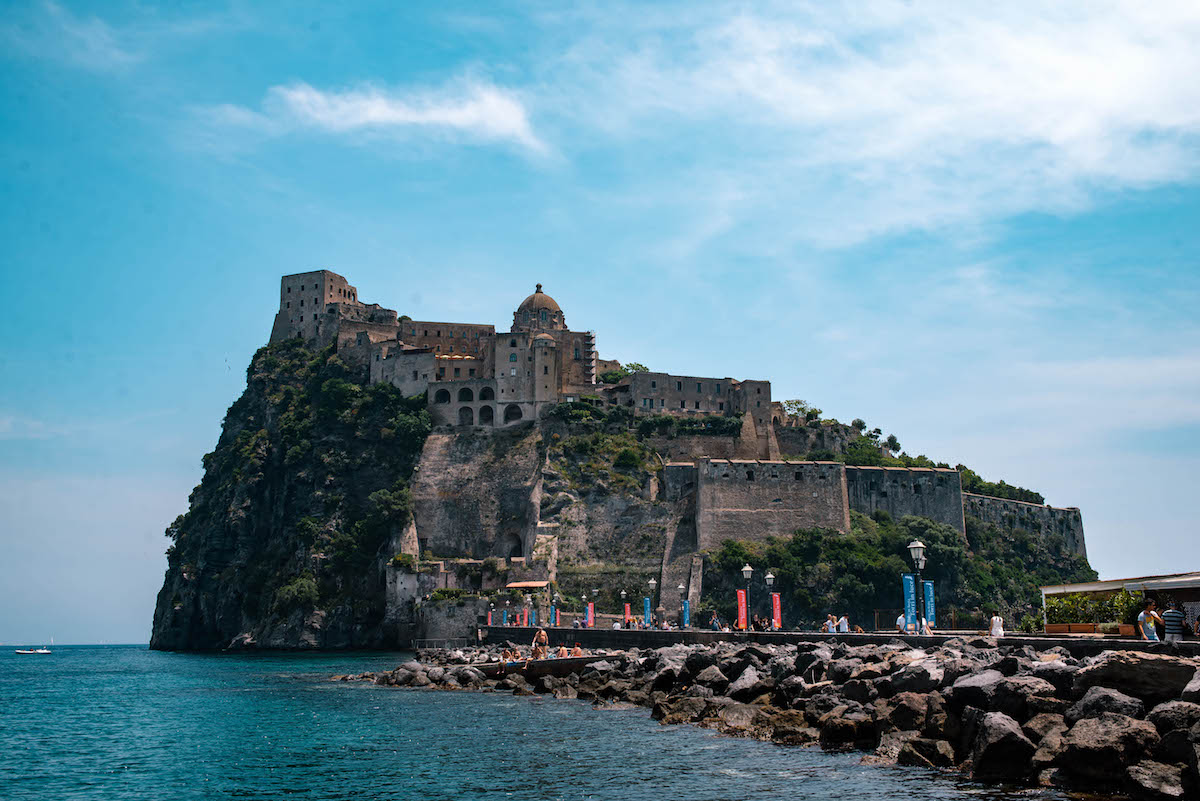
[118,724]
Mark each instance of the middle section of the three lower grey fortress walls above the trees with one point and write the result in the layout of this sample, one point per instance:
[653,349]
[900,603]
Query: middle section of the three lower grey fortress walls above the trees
[933,493]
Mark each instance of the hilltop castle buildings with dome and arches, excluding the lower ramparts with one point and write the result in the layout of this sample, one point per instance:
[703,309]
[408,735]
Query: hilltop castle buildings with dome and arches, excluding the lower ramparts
[476,376]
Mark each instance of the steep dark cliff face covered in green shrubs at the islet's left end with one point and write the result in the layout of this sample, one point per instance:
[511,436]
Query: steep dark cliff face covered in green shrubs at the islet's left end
[302,504]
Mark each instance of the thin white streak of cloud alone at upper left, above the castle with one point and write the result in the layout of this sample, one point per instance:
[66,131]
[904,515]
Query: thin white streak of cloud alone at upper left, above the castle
[472,111]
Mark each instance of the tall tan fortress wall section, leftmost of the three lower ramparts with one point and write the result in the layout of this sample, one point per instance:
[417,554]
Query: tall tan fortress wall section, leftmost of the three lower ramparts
[753,501]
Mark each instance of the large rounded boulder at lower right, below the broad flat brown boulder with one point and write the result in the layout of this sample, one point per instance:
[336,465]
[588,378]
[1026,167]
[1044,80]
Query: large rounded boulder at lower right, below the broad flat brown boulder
[1102,748]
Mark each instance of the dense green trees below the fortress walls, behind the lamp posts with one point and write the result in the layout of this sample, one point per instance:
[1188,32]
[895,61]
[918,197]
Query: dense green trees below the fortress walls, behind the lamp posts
[823,571]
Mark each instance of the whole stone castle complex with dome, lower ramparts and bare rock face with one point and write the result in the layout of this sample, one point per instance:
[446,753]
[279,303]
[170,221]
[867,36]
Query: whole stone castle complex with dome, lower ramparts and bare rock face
[711,489]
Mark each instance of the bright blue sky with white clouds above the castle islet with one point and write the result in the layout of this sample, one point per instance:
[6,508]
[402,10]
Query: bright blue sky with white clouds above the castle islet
[974,225]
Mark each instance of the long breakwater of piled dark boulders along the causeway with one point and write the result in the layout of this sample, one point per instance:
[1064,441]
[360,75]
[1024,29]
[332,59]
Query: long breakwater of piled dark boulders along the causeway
[1118,722]
